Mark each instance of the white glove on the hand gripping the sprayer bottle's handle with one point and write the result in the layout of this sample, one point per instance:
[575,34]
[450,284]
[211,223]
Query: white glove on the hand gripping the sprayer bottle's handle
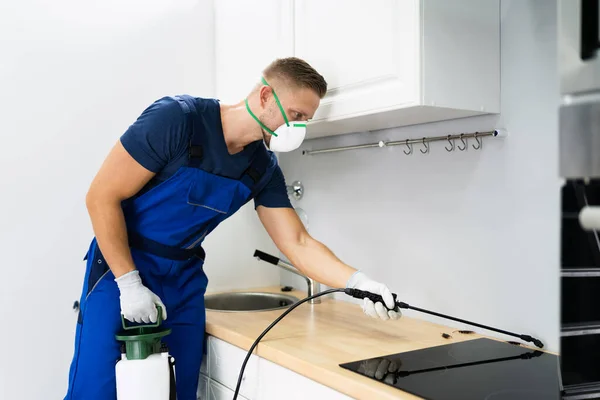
[138,303]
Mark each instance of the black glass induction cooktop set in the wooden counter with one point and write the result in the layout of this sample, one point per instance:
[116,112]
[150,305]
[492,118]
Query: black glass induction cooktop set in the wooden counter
[478,369]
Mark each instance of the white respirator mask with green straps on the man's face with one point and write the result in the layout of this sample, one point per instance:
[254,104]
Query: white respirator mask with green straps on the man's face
[287,137]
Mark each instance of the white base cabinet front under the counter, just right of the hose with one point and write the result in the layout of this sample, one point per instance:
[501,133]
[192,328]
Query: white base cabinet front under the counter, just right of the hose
[277,382]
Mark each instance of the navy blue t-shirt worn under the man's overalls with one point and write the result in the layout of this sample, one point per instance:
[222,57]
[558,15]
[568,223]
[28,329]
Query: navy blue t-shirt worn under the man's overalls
[159,141]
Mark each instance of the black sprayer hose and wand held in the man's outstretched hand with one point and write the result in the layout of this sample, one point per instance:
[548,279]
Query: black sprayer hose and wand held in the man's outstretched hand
[361,294]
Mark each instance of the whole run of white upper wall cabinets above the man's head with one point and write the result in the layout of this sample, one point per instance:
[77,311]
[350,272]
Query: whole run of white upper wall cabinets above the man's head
[388,63]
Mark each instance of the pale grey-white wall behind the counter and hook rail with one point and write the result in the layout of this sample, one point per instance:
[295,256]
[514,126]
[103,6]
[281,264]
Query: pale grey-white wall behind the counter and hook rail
[473,234]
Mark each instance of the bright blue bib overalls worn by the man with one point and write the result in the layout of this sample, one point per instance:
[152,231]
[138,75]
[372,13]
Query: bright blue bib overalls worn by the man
[166,227]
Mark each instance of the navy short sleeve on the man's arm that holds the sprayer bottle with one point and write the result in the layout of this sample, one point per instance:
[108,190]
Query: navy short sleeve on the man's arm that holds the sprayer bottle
[158,135]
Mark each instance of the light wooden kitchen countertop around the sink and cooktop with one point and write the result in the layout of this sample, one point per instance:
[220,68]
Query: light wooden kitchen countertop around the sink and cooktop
[314,339]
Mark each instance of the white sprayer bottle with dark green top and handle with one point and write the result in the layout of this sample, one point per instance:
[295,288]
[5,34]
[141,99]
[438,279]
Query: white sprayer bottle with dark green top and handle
[146,370]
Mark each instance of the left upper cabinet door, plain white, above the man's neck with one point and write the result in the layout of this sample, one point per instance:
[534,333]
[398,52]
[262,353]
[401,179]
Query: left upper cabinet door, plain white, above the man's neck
[248,36]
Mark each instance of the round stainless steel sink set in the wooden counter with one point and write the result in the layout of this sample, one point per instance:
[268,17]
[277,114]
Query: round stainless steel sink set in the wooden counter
[248,301]
